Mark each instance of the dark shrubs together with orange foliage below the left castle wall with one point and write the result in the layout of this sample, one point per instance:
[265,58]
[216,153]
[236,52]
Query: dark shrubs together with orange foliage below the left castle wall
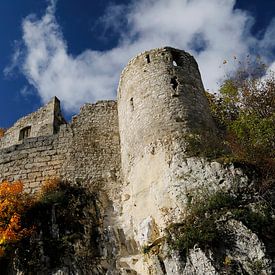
[55,224]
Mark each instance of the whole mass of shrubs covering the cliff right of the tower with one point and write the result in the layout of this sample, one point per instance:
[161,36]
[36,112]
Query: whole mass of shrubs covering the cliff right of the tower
[244,112]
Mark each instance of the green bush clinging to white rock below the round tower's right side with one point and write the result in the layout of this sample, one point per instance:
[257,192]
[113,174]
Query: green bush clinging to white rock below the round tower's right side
[200,224]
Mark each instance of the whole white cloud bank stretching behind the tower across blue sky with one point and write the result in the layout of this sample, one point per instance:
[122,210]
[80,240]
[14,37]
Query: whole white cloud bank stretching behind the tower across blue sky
[210,30]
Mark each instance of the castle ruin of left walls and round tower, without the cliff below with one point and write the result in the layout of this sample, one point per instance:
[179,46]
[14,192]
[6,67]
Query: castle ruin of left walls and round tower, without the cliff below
[160,98]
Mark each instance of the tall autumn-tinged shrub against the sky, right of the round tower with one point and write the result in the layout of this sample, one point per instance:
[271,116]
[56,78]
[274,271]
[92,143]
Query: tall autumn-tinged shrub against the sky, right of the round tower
[244,111]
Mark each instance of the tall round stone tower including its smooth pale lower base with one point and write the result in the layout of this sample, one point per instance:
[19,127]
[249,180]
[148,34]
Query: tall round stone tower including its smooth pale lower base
[161,99]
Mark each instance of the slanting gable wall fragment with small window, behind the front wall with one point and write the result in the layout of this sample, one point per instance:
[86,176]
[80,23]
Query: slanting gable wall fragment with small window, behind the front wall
[43,122]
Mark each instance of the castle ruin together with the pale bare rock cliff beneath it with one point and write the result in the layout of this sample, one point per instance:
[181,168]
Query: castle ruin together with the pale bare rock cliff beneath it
[133,153]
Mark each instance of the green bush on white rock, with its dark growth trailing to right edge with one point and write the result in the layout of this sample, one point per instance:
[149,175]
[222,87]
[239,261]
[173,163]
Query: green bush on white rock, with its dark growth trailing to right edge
[202,224]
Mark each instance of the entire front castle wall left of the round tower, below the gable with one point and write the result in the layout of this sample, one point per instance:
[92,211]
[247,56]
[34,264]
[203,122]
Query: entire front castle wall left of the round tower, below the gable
[86,150]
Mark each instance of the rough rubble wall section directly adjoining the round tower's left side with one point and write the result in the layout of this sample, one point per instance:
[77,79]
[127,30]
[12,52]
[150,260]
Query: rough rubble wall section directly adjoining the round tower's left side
[94,153]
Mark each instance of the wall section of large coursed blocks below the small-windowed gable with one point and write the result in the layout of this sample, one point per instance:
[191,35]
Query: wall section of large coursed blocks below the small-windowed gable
[35,159]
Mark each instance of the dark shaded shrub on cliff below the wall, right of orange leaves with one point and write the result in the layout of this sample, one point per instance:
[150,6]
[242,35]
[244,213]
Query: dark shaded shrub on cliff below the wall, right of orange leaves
[66,217]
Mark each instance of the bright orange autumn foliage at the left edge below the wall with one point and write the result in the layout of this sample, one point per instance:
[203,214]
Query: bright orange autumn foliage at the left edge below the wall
[15,207]
